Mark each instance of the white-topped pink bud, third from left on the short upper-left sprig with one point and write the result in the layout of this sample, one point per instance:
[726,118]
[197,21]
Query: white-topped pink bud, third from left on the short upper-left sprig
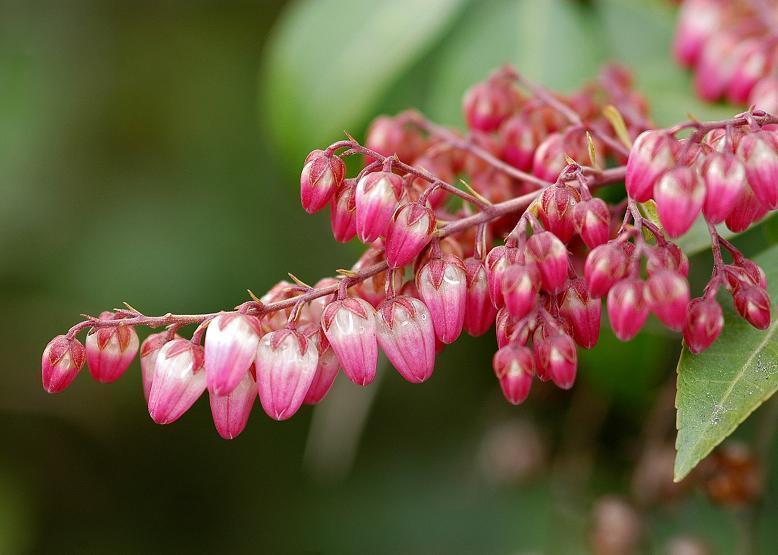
[377,195]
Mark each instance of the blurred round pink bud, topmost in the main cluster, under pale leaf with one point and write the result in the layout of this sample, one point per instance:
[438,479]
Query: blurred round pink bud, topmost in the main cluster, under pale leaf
[488,104]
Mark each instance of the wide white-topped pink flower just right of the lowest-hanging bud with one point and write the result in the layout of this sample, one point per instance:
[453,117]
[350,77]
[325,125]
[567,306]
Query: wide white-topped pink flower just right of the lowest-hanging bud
[286,364]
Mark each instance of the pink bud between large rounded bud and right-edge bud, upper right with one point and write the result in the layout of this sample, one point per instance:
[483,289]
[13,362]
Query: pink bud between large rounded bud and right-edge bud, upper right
[725,179]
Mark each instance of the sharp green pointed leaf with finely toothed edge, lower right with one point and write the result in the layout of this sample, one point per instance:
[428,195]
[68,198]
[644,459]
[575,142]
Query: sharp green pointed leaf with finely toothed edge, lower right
[720,387]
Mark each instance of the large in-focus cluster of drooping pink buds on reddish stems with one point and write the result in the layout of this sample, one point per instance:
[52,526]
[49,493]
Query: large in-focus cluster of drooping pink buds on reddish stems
[530,164]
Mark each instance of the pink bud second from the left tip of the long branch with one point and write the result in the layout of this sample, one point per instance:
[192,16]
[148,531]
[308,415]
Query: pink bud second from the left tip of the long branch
[110,350]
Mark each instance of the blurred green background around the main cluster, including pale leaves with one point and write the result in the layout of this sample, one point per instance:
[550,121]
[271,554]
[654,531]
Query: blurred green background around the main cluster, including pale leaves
[149,153]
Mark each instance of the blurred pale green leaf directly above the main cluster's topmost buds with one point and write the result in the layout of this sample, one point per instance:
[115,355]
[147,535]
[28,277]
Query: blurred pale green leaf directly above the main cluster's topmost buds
[553,42]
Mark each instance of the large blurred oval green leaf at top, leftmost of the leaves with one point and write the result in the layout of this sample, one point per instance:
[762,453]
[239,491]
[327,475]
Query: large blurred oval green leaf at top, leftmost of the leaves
[331,60]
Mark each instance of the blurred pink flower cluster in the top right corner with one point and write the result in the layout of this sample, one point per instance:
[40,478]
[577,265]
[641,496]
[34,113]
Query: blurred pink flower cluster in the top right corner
[733,48]
